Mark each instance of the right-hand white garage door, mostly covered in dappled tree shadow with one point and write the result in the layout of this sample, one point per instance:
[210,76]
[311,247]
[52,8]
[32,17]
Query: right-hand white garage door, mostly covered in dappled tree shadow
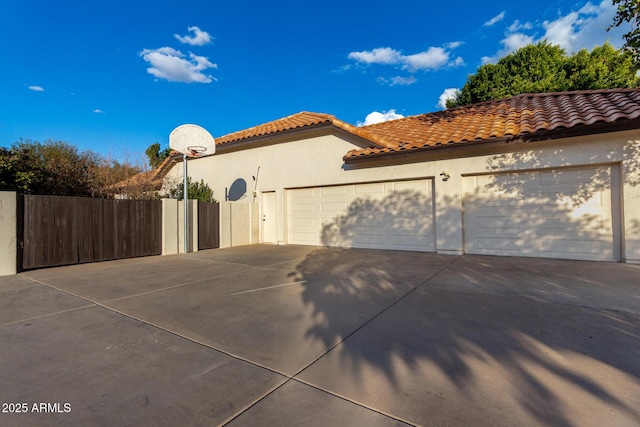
[565,213]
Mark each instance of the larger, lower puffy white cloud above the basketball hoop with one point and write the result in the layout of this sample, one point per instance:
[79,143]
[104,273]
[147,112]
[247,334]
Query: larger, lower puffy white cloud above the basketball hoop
[170,64]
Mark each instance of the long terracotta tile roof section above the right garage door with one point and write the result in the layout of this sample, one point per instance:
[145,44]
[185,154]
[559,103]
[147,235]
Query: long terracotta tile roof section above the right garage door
[510,118]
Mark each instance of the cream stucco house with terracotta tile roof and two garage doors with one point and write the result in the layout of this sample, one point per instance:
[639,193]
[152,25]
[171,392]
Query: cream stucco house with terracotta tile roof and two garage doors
[553,175]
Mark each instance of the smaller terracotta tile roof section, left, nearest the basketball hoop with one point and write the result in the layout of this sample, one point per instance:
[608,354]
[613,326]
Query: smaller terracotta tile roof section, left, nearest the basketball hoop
[297,122]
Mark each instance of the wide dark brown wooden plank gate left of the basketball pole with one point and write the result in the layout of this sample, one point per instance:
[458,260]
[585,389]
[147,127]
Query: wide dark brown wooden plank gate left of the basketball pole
[60,230]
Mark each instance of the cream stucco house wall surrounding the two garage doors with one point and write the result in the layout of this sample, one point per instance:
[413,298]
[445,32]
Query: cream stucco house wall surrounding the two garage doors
[317,161]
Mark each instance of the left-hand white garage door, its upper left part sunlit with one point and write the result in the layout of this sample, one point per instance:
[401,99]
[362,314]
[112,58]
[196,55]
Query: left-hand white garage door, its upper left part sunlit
[382,215]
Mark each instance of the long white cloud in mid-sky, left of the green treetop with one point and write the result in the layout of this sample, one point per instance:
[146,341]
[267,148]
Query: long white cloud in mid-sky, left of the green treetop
[431,59]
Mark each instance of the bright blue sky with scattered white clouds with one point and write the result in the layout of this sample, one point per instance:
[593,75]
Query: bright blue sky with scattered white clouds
[116,76]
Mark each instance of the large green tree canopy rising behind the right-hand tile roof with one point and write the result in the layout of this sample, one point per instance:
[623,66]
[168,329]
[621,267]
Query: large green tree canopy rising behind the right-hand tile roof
[544,67]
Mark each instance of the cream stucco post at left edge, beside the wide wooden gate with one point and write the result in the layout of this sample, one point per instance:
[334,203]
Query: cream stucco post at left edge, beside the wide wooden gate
[8,233]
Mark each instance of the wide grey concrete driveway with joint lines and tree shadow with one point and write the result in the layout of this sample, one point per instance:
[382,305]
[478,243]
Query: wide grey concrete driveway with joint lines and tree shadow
[294,335]
